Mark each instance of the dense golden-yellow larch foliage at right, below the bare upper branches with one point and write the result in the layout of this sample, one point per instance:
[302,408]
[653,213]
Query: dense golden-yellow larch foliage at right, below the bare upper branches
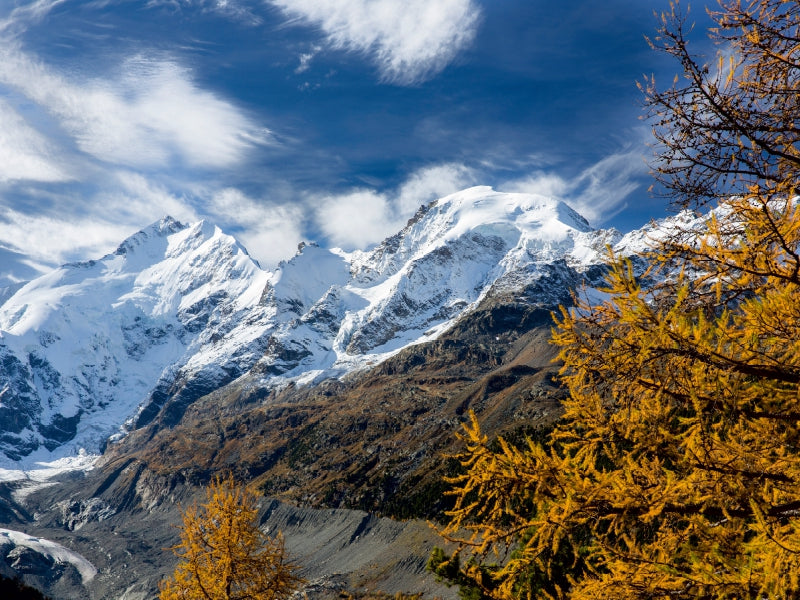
[675,470]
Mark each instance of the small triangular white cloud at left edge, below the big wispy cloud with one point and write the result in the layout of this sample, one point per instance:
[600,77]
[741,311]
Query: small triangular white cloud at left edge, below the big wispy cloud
[25,154]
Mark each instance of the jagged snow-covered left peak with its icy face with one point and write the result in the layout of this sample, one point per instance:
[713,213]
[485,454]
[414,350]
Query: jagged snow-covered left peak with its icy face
[85,345]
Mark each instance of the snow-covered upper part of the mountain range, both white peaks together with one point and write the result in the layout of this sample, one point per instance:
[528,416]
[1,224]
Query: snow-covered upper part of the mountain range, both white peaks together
[179,310]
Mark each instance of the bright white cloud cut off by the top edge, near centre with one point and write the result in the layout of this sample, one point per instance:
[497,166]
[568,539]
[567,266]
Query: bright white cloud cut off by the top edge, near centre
[410,40]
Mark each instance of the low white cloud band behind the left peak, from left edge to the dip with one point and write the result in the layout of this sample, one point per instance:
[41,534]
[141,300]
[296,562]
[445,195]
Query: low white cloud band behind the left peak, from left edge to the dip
[79,229]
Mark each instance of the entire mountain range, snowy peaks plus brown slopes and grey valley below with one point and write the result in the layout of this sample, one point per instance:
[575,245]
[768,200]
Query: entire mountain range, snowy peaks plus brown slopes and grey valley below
[336,382]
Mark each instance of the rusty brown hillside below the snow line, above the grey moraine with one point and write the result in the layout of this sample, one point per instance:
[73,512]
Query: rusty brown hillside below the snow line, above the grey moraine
[379,439]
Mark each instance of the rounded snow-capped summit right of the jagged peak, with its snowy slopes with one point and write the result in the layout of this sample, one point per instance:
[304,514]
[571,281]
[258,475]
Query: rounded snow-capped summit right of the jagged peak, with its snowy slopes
[365,306]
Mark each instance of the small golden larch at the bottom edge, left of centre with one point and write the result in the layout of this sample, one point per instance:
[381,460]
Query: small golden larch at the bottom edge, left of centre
[225,556]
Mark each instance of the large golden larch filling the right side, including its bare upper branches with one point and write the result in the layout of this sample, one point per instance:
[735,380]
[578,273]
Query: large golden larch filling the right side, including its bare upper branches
[675,470]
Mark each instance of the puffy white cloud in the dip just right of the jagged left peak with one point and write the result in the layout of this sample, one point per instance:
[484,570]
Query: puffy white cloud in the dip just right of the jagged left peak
[269,232]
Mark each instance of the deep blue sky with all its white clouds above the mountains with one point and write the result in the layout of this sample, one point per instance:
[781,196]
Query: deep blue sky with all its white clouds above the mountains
[324,120]
